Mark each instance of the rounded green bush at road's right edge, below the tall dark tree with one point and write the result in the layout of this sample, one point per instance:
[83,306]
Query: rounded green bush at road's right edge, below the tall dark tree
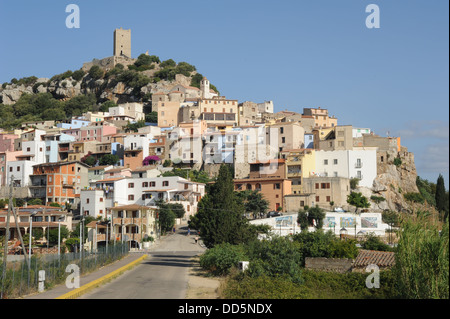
[220,259]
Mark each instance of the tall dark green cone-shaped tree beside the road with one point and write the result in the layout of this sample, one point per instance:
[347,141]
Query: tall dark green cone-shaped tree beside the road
[220,217]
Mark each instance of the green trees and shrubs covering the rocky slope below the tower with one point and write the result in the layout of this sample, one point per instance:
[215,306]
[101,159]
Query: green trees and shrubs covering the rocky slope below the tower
[48,106]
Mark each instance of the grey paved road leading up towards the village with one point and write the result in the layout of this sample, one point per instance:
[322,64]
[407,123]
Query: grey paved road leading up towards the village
[163,275]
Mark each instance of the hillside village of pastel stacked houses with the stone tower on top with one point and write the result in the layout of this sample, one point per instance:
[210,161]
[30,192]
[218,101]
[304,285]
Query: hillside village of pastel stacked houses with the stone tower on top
[98,164]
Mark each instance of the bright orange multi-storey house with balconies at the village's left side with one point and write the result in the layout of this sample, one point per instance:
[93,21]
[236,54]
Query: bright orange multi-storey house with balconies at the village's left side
[59,182]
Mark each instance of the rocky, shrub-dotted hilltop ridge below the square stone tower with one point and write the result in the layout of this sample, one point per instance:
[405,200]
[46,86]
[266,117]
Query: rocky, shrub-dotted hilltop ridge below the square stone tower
[119,85]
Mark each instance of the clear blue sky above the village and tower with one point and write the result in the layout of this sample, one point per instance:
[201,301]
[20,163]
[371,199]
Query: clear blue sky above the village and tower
[299,53]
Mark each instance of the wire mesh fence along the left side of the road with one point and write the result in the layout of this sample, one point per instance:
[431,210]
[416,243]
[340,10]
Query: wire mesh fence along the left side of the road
[20,281]
